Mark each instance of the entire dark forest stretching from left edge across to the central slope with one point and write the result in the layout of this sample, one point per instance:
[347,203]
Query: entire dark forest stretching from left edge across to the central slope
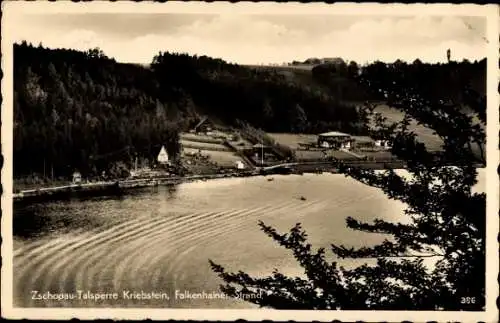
[83,110]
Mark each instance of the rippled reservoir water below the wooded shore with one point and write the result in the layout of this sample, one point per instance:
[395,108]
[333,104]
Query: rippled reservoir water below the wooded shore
[160,240]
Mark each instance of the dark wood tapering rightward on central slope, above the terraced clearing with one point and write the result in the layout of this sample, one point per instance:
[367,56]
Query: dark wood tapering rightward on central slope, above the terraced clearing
[262,97]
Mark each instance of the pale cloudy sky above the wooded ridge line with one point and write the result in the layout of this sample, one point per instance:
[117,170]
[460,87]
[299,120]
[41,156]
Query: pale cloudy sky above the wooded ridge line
[259,38]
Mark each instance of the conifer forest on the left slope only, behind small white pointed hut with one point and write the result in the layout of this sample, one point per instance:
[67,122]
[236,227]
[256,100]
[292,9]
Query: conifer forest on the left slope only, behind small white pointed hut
[75,110]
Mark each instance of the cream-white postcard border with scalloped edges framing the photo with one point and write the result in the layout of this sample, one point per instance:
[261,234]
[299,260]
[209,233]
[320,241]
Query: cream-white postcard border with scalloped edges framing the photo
[10,9]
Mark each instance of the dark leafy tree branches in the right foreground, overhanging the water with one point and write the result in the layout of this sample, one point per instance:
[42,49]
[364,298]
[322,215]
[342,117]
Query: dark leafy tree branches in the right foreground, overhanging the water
[447,218]
